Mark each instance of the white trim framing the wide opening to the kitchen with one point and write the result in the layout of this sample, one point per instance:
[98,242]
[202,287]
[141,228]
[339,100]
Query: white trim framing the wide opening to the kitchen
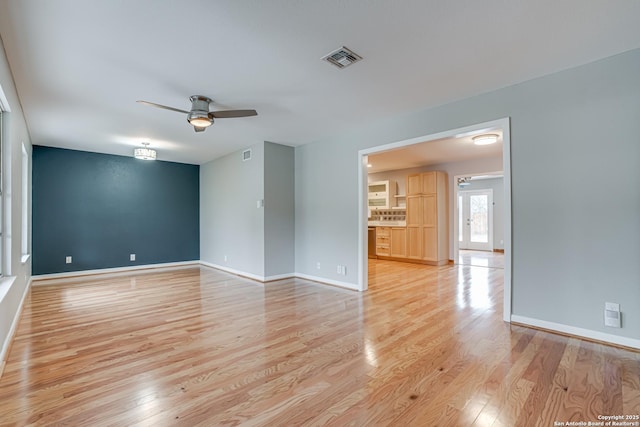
[504,125]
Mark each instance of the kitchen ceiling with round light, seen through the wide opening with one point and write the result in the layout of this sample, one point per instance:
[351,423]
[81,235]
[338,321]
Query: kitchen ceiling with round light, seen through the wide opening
[446,150]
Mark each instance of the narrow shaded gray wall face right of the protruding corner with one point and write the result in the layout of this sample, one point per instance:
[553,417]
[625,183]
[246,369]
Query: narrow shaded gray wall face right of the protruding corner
[279,223]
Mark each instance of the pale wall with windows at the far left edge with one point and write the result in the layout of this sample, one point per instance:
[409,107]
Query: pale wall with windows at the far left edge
[14,134]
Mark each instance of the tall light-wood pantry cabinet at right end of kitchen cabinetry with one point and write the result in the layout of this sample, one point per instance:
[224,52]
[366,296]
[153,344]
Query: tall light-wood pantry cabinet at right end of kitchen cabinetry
[427,220]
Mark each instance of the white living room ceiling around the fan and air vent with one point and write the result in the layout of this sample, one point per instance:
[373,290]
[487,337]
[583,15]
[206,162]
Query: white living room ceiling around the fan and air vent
[79,66]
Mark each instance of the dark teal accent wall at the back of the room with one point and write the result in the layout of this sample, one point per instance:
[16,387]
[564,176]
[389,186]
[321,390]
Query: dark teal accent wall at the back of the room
[100,208]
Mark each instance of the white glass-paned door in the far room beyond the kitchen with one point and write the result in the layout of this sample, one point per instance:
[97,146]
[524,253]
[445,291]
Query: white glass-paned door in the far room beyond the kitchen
[475,219]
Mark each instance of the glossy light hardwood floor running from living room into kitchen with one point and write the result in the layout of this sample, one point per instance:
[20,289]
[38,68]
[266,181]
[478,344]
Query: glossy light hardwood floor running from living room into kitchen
[425,346]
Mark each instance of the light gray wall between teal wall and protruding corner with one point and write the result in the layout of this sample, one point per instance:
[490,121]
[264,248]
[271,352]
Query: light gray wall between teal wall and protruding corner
[231,224]
